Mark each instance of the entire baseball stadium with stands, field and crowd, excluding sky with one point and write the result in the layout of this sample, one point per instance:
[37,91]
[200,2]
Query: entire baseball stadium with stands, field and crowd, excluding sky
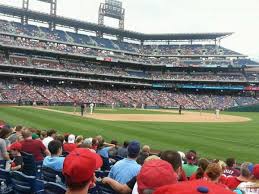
[108,89]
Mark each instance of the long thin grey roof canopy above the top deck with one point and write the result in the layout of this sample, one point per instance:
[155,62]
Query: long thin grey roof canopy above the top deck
[68,22]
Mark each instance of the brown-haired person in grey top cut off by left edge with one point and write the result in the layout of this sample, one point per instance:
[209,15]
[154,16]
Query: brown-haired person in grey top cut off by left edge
[5,131]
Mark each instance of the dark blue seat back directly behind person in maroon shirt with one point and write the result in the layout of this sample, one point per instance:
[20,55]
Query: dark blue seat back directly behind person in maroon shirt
[31,167]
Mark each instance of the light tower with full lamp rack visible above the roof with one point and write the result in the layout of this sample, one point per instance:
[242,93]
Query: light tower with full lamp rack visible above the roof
[112,9]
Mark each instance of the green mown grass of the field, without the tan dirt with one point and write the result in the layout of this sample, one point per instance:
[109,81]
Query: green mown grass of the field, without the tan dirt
[212,140]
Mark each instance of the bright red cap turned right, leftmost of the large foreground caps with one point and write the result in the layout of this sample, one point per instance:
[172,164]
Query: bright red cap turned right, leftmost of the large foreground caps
[80,165]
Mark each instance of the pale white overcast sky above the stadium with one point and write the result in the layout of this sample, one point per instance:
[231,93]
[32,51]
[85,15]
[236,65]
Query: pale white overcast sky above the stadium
[174,16]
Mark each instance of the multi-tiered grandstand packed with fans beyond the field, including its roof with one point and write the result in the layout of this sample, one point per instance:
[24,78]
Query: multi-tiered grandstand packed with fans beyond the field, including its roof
[50,66]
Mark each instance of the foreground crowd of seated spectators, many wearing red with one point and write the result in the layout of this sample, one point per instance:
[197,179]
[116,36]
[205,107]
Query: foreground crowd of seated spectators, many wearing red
[85,162]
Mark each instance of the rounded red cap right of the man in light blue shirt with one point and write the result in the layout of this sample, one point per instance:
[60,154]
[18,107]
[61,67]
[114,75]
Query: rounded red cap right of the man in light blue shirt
[155,173]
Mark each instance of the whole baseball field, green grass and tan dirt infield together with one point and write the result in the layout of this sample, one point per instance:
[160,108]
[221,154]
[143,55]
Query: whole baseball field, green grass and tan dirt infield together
[233,134]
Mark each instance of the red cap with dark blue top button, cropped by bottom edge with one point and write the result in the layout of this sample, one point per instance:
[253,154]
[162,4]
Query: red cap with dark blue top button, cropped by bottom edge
[193,187]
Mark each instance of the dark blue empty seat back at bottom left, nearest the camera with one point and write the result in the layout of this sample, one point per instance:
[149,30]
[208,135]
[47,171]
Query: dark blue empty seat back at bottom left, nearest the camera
[23,184]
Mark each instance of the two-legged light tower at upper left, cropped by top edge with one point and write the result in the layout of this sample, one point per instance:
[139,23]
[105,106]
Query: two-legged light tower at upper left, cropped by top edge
[53,11]
